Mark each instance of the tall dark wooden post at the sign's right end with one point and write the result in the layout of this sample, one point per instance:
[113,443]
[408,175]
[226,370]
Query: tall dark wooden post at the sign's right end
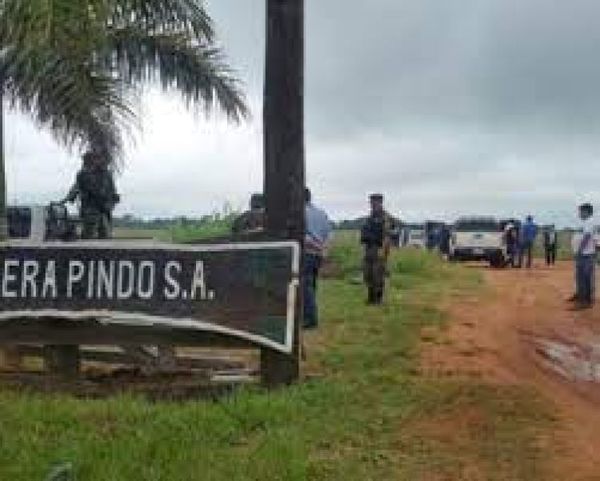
[284,153]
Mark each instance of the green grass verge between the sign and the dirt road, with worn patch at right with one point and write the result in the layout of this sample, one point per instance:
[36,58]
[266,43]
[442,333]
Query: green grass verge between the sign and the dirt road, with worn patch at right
[365,414]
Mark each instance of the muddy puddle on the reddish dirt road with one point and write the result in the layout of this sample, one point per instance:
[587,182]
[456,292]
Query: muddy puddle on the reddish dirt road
[572,361]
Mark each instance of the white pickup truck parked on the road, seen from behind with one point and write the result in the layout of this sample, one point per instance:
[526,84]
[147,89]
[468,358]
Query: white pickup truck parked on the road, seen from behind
[478,239]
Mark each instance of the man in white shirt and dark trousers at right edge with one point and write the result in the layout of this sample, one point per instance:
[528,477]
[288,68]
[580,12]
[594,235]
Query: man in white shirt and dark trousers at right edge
[584,250]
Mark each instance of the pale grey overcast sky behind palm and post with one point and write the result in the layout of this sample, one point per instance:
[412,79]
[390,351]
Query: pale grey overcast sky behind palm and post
[447,107]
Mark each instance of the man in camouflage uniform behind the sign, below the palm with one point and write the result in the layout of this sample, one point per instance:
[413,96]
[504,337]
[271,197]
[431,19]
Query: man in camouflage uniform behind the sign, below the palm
[95,188]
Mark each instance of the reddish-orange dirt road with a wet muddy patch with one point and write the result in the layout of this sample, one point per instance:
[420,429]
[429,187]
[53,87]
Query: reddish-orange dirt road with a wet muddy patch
[519,330]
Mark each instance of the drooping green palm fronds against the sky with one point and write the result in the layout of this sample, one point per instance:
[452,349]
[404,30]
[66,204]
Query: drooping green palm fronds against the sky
[77,66]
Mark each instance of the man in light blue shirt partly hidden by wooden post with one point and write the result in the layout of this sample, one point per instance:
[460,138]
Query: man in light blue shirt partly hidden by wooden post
[317,234]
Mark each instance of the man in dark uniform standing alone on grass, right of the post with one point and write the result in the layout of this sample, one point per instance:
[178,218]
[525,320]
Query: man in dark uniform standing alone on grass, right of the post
[375,236]
